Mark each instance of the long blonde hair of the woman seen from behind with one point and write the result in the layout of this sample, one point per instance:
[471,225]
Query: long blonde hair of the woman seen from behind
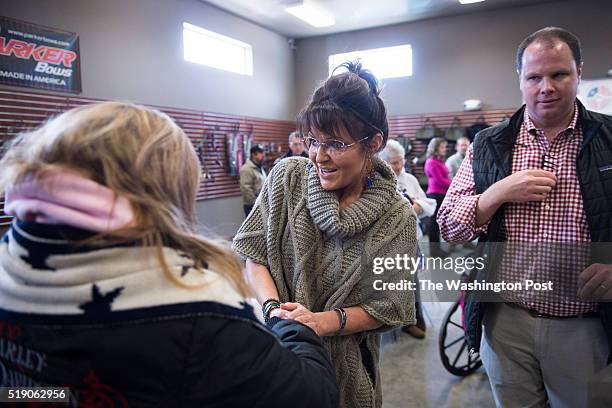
[140,154]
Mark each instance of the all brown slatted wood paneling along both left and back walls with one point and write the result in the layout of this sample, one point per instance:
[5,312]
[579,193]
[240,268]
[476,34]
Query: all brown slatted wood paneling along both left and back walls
[22,111]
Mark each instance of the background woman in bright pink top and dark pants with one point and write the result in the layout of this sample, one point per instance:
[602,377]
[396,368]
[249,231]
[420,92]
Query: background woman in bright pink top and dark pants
[439,181]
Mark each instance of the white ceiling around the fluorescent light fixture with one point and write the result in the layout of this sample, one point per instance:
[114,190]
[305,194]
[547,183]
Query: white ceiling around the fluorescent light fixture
[353,14]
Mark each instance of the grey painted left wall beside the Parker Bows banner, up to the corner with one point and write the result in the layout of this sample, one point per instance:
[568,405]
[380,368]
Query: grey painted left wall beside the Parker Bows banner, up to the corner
[132,50]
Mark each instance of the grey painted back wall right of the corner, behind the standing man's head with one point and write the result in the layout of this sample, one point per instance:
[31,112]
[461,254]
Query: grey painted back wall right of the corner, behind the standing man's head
[463,57]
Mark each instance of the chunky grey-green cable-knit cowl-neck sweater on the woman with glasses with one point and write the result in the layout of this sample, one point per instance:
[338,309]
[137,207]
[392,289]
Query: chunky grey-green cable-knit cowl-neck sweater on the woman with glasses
[322,257]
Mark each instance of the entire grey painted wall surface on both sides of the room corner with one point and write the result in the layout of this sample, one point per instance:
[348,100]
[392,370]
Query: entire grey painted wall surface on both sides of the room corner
[132,50]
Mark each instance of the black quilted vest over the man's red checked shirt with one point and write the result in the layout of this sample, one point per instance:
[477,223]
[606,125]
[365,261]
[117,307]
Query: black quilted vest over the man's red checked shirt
[492,162]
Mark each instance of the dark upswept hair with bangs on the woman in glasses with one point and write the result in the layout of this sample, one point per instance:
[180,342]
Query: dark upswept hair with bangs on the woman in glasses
[348,101]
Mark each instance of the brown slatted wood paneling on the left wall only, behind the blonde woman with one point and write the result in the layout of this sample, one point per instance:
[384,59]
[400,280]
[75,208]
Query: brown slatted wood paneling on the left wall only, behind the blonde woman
[22,111]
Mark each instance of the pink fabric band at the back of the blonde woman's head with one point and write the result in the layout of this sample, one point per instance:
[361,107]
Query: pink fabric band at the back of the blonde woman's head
[67,198]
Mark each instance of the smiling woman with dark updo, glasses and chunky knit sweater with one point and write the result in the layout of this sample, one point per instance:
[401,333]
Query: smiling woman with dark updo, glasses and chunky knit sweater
[321,227]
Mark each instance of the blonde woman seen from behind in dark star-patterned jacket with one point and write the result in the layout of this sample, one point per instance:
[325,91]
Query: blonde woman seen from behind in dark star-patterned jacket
[107,289]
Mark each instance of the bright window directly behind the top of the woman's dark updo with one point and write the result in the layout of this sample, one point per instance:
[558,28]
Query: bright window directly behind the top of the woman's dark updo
[388,62]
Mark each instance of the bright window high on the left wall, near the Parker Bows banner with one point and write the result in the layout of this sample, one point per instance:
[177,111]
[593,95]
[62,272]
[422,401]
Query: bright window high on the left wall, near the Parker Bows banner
[215,50]
